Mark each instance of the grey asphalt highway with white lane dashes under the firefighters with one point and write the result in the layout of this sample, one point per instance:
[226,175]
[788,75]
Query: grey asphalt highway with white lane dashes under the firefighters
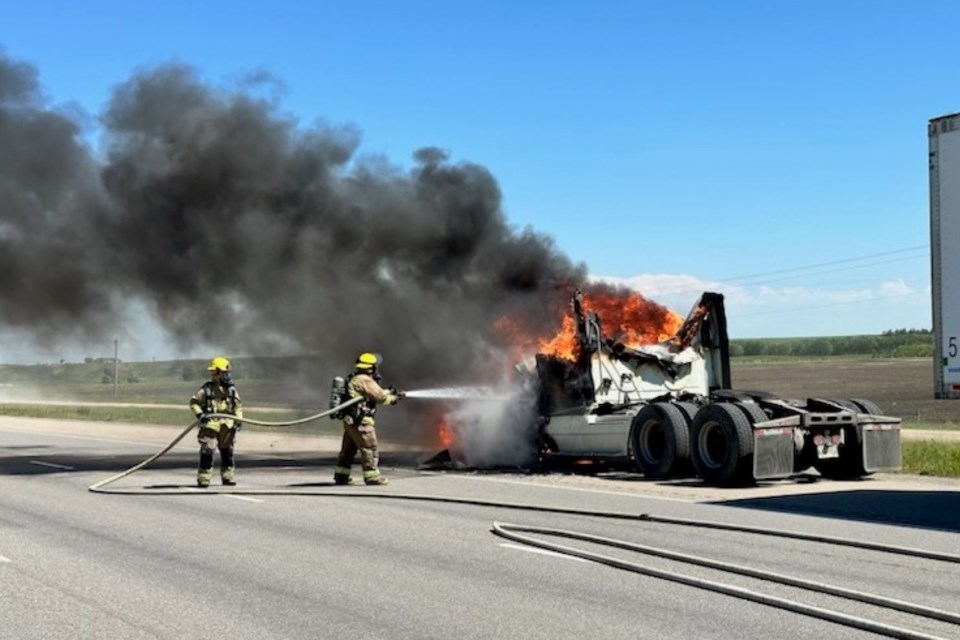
[288,555]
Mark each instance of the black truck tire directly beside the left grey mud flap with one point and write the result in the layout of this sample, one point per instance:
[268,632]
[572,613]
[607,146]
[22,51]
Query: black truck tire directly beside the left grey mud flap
[722,444]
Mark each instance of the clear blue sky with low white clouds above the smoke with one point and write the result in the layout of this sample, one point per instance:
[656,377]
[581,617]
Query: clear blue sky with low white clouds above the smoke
[772,151]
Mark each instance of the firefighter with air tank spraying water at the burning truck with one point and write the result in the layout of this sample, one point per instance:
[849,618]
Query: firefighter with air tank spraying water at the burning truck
[359,432]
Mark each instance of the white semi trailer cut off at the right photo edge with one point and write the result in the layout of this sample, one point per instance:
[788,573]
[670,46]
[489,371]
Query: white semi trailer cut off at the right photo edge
[944,135]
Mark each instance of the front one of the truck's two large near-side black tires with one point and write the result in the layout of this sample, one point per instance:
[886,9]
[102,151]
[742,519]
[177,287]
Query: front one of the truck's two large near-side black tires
[660,438]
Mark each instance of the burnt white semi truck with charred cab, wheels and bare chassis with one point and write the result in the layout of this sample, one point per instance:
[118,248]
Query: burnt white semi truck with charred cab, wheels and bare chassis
[670,411]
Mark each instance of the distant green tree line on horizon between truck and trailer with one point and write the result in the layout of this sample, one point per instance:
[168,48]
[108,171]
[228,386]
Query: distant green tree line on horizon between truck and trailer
[898,343]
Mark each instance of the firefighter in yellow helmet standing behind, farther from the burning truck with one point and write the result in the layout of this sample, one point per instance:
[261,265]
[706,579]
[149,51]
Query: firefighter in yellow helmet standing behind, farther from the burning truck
[217,395]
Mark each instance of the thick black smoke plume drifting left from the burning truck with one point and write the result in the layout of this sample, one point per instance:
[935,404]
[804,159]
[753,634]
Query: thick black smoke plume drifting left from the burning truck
[239,227]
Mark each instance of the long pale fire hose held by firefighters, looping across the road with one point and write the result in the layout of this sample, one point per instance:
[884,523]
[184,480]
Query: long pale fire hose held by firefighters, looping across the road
[515,532]
